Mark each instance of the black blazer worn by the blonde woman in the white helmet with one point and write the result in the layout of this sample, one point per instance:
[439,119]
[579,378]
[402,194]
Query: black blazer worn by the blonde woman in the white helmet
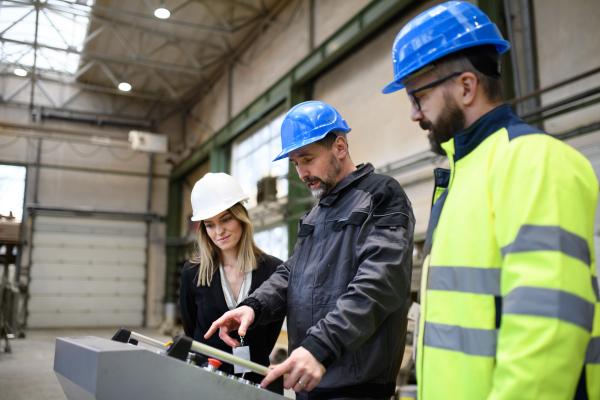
[202,305]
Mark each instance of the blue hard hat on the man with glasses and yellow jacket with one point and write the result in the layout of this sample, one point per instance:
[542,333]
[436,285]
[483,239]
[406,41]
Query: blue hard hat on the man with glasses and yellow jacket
[441,30]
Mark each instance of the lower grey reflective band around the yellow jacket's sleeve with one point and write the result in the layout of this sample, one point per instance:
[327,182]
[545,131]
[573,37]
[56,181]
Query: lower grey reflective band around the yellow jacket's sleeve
[552,303]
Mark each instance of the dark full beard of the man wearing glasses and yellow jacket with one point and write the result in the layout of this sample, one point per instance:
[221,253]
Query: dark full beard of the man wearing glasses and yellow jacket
[449,123]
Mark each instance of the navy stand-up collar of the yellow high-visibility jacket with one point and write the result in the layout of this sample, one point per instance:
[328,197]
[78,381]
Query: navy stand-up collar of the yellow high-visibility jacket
[467,140]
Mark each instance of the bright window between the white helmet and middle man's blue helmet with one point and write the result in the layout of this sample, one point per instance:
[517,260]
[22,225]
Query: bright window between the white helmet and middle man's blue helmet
[252,159]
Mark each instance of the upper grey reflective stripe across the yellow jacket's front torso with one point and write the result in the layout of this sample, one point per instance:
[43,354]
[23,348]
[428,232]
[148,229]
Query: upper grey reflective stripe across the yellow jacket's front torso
[465,279]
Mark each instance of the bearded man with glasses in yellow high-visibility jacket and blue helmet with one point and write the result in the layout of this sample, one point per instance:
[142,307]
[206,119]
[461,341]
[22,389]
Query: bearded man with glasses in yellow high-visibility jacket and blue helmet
[509,293]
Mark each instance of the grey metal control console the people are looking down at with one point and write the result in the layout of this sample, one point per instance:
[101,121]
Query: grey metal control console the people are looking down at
[94,368]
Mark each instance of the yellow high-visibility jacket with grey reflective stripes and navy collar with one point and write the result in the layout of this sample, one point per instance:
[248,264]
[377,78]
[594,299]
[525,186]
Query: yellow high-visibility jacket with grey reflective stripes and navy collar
[509,295]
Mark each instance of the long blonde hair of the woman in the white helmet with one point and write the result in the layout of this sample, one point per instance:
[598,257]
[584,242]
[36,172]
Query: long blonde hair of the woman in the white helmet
[209,255]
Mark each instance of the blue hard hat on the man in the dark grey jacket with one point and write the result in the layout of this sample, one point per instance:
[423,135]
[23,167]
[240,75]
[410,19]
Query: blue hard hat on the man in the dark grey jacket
[307,123]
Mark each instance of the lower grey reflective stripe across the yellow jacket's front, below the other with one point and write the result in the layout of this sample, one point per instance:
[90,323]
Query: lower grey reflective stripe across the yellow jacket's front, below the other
[476,342]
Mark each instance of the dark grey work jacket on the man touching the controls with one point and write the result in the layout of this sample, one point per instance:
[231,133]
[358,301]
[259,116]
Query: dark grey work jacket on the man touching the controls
[346,288]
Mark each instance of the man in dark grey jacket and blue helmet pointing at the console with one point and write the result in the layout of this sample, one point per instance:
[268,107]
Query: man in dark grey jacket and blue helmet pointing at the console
[346,288]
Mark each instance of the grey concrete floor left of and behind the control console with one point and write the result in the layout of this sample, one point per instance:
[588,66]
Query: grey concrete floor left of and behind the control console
[27,373]
